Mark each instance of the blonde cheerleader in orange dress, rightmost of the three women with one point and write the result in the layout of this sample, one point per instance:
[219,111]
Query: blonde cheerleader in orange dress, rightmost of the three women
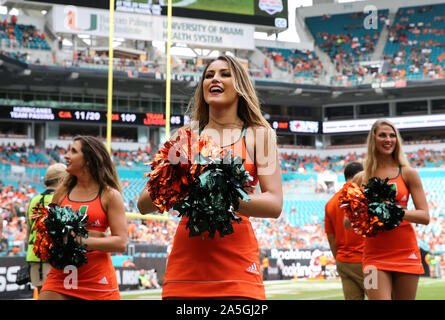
[393,257]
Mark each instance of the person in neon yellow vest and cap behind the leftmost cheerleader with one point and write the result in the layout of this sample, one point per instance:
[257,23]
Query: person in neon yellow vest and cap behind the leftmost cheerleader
[38,268]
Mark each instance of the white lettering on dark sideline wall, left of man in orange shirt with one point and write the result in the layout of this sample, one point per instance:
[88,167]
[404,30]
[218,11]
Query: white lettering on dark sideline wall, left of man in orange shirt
[299,263]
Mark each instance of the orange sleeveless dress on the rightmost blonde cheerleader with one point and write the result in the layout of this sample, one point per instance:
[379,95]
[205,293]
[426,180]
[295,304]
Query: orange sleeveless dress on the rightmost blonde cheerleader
[396,249]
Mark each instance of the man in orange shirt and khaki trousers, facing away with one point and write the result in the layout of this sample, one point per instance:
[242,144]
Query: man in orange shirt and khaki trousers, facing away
[346,245]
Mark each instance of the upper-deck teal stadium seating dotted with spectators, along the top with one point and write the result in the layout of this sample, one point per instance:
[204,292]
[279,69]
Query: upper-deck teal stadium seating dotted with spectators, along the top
[414,50]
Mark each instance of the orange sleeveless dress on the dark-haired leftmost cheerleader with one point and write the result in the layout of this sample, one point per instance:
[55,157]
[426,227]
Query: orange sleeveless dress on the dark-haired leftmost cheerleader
[95,280]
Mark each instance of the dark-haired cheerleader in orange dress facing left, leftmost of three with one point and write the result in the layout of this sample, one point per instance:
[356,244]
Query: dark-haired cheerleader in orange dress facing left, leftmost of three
[92,185]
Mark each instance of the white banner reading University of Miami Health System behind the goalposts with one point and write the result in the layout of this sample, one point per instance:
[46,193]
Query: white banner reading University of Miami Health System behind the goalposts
[193,32]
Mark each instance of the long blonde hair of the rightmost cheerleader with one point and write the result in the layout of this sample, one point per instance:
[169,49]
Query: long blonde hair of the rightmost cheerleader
[371,158]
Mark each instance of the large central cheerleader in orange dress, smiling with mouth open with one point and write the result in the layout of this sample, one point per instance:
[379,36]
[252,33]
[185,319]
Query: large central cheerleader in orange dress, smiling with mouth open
[226,108]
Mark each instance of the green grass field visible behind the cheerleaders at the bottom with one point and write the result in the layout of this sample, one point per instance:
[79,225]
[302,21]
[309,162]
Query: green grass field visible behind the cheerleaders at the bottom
[429,289]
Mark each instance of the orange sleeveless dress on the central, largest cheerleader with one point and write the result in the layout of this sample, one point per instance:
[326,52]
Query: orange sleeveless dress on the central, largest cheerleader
[201,267]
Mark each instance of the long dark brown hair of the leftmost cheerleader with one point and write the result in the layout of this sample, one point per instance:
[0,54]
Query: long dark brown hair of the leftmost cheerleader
[99,164]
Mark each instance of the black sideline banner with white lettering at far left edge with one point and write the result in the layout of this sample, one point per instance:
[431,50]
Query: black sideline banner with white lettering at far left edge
[8,274]
